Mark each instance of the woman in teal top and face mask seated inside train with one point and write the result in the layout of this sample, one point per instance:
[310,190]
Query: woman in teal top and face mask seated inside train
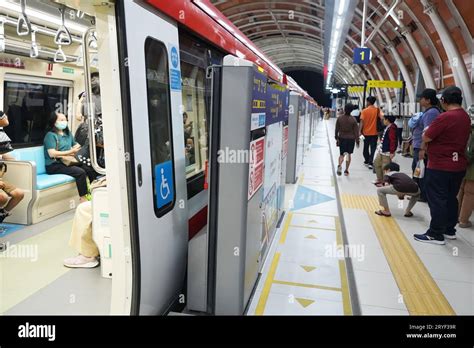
[60,142]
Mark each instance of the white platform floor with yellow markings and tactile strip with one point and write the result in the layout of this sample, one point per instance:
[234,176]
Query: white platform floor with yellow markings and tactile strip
[380,270]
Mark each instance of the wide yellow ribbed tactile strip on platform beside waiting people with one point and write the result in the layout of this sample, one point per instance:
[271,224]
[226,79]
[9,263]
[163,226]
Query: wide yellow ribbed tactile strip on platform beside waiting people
[421,294]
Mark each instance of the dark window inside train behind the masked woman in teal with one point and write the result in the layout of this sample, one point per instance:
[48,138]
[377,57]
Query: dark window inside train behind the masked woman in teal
[28,106]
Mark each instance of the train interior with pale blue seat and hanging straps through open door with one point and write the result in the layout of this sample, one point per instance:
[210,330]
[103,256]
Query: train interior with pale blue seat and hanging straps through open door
[41,72]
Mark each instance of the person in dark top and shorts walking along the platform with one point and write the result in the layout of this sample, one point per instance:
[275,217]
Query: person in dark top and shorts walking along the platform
[347,135]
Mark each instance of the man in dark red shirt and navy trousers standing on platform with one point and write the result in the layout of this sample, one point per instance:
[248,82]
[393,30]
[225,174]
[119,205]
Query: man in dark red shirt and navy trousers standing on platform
[446,140]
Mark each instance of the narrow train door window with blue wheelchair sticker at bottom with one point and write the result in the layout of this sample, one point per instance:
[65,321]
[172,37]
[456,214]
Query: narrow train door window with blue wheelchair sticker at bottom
[159,118]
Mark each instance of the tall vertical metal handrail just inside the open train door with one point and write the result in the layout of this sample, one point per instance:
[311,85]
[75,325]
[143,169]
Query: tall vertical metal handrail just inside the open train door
[90,106]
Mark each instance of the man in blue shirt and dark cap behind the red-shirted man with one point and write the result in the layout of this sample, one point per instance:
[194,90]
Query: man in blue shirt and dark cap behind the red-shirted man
[418,124]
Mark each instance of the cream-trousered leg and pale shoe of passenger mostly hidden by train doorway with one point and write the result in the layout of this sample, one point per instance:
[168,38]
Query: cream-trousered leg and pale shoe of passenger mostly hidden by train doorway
[81,236]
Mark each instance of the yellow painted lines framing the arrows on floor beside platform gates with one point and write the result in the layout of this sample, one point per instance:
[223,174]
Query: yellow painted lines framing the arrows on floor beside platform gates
[344,289]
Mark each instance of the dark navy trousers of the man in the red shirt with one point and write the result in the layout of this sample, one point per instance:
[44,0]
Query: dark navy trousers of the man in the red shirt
[441,189]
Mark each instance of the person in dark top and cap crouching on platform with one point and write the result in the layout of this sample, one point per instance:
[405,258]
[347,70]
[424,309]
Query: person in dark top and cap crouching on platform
[399,184]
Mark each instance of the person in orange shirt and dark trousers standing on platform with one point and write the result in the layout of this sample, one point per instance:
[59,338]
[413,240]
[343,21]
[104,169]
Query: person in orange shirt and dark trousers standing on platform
[368,128]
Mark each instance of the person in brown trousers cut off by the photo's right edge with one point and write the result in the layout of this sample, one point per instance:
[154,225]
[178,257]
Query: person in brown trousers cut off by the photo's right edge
[466,192]
